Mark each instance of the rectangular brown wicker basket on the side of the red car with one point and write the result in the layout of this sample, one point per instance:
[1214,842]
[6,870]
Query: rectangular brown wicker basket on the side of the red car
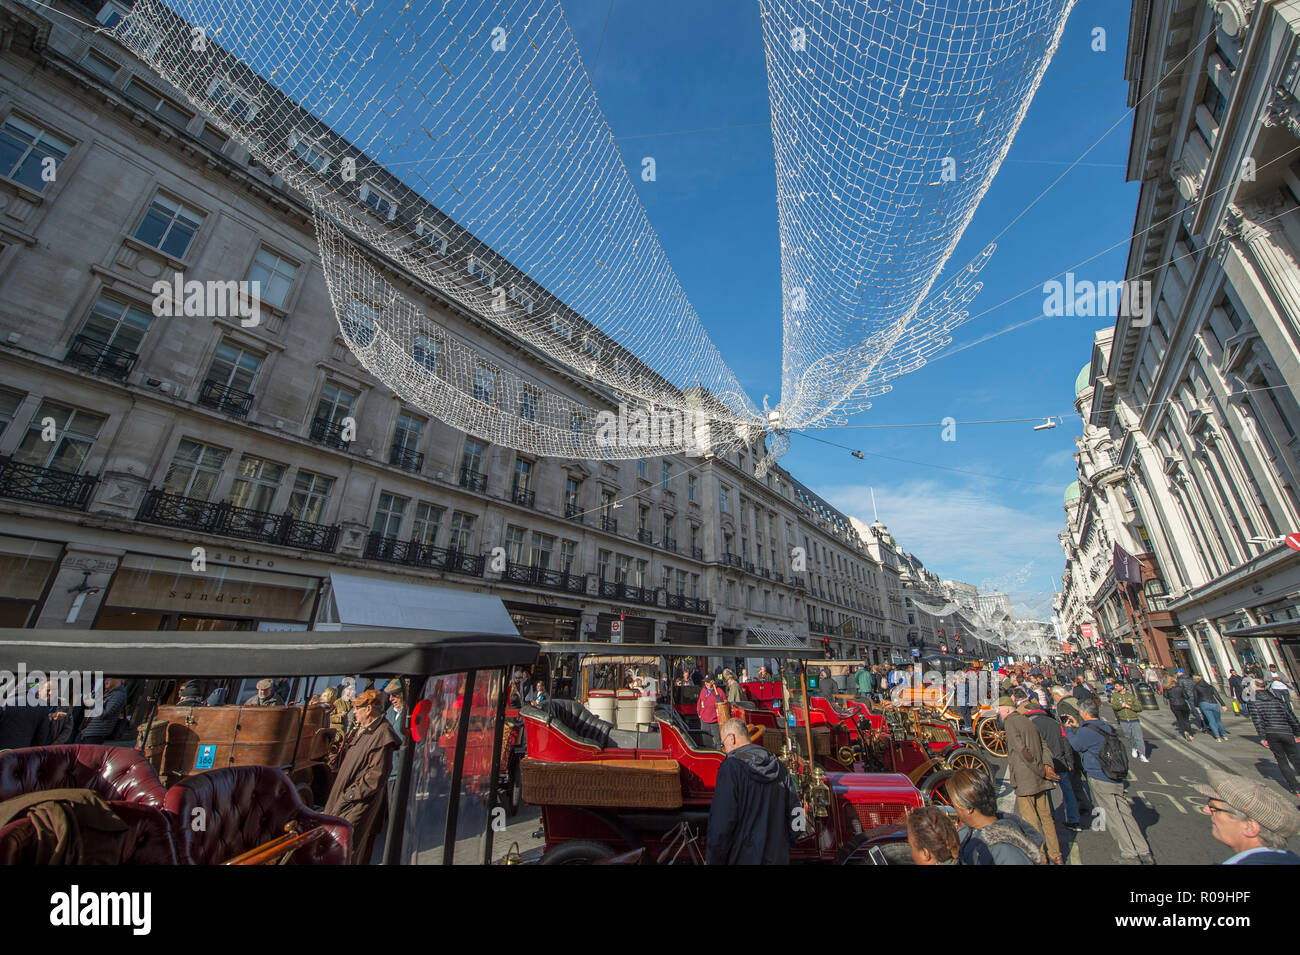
[632,784]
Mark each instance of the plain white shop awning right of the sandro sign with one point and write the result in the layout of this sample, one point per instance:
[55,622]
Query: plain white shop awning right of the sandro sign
[383,604]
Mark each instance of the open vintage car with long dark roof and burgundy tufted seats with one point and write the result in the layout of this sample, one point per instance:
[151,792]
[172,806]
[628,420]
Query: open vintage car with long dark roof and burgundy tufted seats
[444,795]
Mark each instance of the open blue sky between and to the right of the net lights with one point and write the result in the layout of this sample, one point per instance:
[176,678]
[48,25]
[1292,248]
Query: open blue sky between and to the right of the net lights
[686,84]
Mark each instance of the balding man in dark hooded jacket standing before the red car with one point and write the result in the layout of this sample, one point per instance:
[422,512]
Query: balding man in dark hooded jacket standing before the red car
[756,815]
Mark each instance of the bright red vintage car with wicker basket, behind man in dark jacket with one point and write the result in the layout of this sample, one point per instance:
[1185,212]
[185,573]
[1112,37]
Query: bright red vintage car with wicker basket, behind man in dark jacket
[644,787]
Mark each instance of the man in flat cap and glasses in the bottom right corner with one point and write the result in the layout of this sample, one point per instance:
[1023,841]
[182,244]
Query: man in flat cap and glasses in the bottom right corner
[1253,819]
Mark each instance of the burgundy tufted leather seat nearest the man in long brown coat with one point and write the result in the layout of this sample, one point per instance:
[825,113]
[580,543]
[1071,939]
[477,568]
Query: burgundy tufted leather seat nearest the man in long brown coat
[244,808]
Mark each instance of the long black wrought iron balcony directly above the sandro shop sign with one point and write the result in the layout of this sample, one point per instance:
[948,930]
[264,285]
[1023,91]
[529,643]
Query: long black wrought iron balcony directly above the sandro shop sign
[228,520]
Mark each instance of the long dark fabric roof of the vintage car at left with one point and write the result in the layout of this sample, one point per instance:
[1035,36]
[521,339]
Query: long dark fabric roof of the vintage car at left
[261,654]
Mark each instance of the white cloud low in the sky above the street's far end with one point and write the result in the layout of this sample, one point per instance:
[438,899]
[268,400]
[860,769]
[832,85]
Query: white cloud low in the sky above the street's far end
[972,535]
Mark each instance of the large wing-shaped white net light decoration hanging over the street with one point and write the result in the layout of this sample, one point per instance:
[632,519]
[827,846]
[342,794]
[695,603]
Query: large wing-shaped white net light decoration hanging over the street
[463,146]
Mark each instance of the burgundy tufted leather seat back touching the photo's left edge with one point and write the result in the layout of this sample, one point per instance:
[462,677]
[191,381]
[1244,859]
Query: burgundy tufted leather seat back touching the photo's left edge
[112,772]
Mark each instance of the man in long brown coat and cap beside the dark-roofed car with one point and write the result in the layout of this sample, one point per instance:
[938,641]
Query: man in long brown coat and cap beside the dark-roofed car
[361,792]
